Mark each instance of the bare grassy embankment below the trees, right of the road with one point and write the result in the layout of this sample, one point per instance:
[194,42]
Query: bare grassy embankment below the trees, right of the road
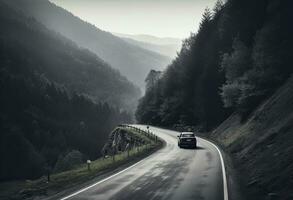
[262,146]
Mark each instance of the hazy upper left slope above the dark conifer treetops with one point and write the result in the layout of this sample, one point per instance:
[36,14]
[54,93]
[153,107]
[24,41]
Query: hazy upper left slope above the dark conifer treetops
[34,47]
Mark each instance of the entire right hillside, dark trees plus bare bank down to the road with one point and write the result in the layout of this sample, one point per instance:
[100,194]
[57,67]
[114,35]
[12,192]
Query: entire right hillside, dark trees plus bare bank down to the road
[236,69]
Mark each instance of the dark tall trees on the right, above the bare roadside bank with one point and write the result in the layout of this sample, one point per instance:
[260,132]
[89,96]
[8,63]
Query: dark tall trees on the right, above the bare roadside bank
[240,55]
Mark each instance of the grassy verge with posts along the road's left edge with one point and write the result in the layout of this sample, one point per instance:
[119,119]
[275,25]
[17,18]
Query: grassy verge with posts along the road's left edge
[80,173]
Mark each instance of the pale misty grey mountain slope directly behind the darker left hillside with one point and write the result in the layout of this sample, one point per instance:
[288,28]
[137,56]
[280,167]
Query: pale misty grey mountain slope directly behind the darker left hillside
[132,61]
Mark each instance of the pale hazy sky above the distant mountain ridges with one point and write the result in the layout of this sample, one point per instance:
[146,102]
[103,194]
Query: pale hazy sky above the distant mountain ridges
[163,18]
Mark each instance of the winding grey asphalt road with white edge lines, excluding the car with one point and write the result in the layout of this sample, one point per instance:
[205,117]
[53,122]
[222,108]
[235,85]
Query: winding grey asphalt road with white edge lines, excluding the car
[170,173]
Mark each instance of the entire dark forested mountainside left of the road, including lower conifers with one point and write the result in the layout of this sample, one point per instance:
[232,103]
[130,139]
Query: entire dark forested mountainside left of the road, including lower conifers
[54,98]
